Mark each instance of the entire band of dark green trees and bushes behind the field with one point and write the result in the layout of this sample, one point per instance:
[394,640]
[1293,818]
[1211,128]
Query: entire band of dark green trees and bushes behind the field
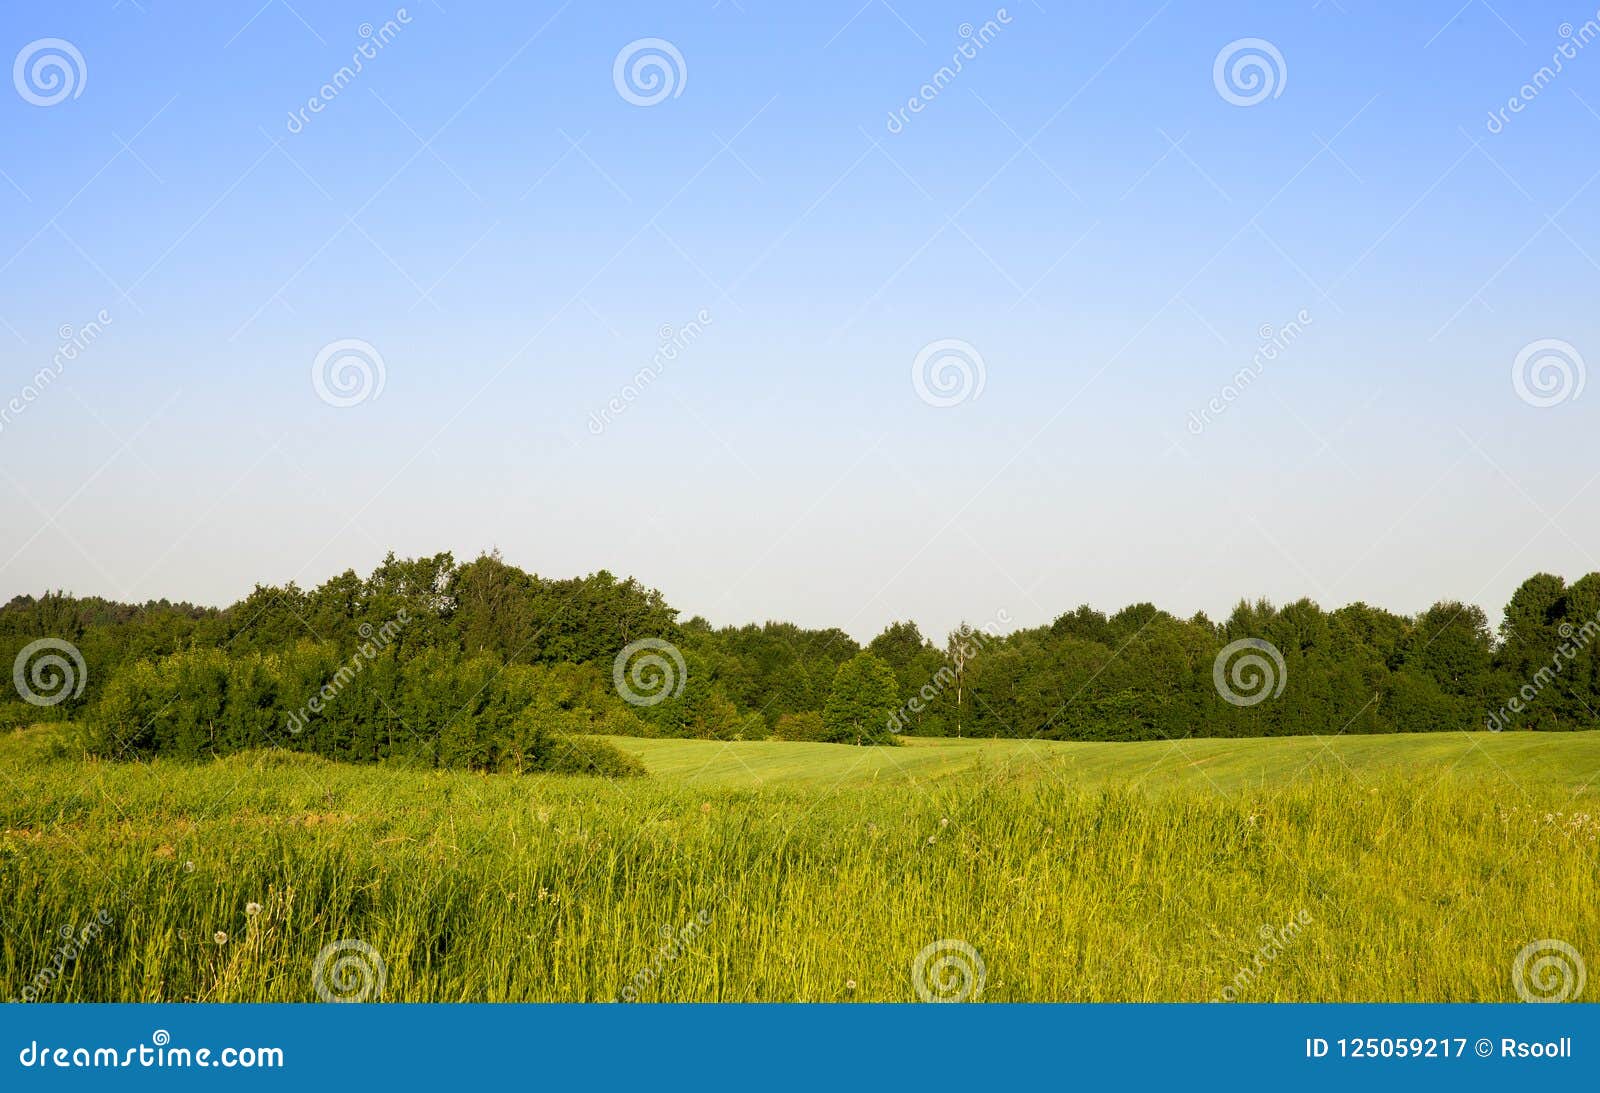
[486,667]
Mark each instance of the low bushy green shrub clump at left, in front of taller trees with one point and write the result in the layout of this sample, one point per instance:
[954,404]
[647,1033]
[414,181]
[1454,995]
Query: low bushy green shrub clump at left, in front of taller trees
[434,710]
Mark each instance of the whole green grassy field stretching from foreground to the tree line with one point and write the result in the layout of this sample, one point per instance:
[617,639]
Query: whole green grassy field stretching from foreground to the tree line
[1375,868]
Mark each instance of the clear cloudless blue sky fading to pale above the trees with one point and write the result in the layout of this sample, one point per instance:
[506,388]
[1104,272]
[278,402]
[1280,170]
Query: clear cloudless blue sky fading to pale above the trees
[1110,222]
